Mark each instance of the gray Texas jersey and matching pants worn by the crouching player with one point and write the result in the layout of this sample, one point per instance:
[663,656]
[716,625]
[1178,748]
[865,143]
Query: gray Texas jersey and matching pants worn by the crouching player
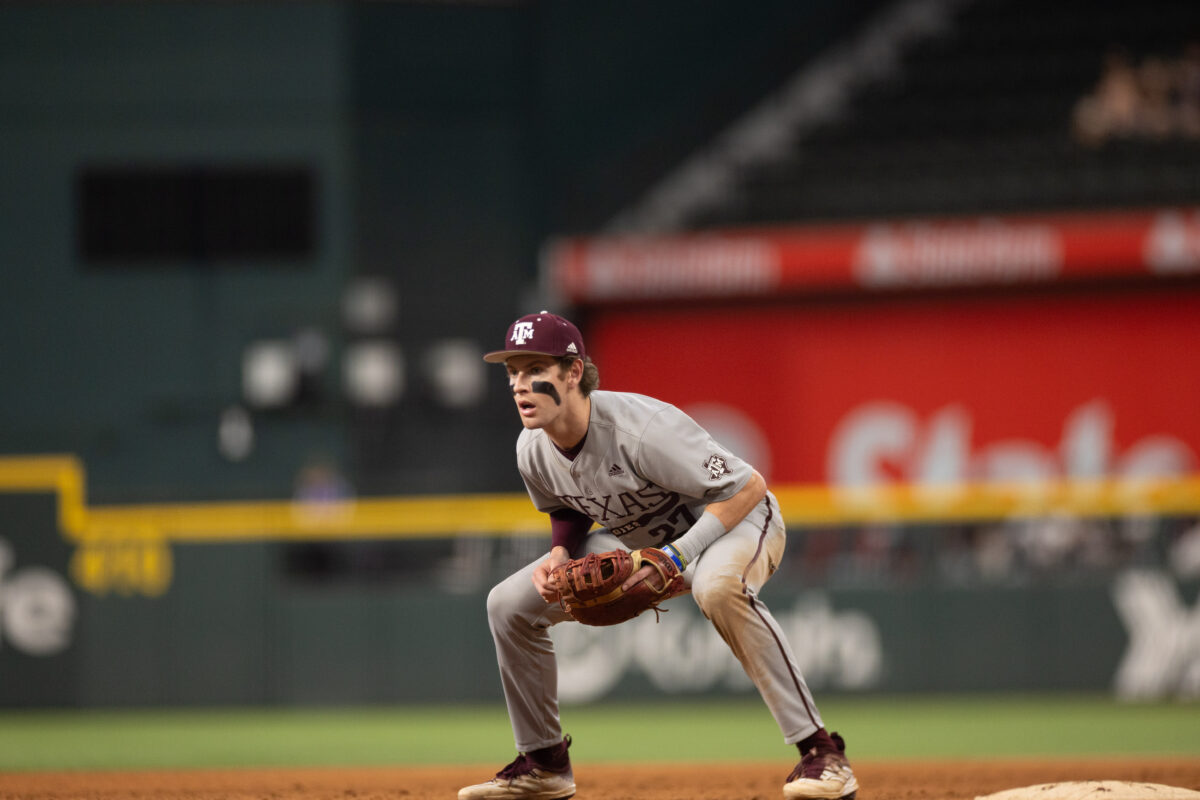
[646,472]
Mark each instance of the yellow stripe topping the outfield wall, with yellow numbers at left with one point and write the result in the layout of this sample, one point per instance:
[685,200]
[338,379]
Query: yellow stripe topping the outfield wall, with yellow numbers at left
[127,548]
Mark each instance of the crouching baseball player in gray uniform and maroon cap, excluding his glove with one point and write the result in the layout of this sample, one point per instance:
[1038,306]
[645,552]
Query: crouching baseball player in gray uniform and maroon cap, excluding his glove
[651,478]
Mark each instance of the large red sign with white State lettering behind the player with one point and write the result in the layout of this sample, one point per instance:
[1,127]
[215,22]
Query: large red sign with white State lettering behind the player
[928,389]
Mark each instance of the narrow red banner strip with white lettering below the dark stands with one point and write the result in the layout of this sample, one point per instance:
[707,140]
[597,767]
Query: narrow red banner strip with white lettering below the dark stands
[875,257]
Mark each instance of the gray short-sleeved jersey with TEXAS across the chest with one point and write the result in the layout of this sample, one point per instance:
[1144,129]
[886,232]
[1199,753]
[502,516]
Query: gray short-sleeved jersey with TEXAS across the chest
[646,471]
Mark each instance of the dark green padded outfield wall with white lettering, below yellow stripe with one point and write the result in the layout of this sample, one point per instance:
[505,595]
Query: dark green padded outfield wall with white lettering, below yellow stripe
[400,621]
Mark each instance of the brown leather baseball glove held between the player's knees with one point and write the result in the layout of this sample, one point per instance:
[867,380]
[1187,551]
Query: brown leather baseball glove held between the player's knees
[590,590]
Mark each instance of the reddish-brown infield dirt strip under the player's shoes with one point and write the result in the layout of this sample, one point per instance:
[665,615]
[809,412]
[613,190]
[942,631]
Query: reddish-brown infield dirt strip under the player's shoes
[879,781]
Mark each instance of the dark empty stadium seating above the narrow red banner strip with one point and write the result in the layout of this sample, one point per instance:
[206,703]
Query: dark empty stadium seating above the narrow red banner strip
[981,121]
